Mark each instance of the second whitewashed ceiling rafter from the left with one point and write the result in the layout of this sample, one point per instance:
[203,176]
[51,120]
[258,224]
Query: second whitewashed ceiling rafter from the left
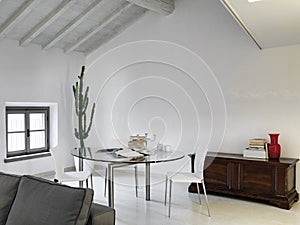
[47,21]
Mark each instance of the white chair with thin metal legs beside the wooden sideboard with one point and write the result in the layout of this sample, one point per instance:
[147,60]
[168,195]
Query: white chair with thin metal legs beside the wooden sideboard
[186,177]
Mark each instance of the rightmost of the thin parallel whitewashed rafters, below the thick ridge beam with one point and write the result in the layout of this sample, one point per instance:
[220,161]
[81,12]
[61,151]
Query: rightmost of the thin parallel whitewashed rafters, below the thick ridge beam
[100,26]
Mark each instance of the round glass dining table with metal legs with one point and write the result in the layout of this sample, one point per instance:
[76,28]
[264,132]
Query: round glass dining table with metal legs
[114,159]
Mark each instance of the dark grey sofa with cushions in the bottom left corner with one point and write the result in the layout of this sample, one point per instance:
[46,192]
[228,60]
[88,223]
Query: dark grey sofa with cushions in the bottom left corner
[28,200]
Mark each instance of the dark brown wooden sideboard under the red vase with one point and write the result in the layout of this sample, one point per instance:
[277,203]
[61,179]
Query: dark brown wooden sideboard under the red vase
[271,181]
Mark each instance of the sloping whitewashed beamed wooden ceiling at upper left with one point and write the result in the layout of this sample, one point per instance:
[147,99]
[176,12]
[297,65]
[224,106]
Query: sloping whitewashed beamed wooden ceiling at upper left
[72,25]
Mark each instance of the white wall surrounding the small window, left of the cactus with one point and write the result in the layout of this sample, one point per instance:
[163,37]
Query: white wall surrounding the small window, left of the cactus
[29,74]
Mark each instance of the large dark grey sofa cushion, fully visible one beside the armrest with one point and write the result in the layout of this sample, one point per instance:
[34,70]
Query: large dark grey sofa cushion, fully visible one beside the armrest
[42,202]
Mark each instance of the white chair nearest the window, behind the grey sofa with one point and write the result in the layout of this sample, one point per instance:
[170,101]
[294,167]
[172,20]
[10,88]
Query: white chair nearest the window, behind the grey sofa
[61,176]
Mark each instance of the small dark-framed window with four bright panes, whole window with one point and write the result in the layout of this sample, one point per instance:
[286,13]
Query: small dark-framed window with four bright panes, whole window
[27,130]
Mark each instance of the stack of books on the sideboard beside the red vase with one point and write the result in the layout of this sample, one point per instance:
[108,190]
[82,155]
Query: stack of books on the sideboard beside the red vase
[257,148]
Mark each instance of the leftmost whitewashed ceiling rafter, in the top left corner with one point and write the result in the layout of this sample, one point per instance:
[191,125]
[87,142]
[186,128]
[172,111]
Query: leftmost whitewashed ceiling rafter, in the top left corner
[18,16]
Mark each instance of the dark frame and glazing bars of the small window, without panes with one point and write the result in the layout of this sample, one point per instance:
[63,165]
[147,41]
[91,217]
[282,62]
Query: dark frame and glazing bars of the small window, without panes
[27,111]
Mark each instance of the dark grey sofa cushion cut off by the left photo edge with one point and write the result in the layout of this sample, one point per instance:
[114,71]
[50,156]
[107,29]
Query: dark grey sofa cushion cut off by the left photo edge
[8,189]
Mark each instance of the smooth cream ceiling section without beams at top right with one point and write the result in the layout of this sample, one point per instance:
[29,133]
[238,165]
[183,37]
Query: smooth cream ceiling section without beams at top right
[270,23]
